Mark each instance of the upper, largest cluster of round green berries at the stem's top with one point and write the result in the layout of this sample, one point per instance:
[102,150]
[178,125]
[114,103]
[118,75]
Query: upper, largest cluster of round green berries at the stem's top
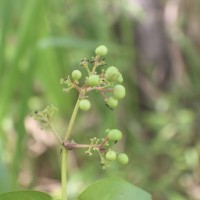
[106,81]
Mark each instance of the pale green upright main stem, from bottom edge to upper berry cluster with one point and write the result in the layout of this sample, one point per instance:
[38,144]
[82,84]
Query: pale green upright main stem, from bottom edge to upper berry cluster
[65,151]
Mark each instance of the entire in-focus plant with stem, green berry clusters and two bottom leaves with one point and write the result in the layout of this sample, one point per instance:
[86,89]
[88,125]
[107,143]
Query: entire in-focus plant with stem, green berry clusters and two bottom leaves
[108,82]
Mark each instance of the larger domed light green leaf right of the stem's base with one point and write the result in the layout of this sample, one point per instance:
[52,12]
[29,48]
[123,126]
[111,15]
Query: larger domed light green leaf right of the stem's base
[113,189]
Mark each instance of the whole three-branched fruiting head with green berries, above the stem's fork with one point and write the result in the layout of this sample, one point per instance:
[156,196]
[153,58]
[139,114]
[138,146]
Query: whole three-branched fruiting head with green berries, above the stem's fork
[106,81]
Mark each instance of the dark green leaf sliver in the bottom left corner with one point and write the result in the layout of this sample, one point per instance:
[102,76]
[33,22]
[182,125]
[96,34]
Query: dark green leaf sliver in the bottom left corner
[25,195]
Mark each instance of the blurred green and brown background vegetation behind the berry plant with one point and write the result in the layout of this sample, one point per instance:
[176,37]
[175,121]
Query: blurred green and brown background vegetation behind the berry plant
[156,46]
